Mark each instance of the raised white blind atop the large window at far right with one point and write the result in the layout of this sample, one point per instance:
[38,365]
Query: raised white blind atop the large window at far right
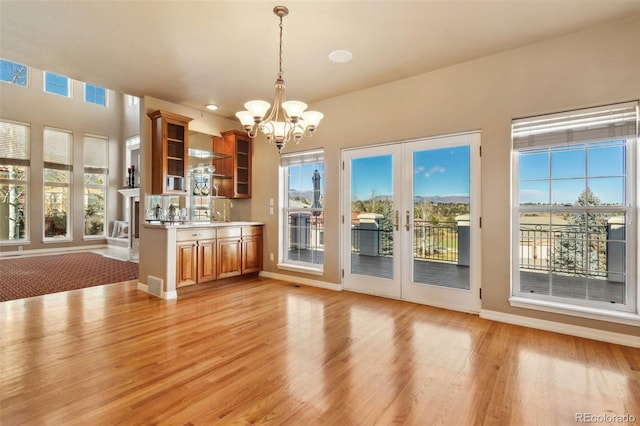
[579,126]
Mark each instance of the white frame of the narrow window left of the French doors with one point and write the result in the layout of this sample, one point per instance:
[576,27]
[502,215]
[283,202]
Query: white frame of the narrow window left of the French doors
[314,157]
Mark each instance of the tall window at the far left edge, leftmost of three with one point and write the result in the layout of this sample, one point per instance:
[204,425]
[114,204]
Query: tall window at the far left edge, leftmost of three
[14,181]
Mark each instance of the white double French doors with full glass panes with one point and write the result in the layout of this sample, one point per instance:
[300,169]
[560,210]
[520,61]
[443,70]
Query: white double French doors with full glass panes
[411,221]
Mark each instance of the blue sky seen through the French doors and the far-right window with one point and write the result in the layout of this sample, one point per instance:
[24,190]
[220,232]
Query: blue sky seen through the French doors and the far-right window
[557,175]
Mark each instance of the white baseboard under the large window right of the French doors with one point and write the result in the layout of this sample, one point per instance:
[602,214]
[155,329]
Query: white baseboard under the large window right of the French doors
[557,327]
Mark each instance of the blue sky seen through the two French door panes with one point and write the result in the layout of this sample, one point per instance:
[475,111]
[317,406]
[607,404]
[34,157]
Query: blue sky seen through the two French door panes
[437,172]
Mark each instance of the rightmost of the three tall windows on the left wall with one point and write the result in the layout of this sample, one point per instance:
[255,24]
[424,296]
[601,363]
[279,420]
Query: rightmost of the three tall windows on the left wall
[95,184]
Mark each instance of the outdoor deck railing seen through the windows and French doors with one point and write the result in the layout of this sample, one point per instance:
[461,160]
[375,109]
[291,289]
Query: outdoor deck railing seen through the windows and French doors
[564,249]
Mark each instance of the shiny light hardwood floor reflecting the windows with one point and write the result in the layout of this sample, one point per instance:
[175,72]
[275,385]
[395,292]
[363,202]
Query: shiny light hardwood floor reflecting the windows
[266,351]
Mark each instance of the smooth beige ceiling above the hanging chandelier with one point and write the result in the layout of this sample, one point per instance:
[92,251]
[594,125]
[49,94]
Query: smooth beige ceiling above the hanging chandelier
[226,52]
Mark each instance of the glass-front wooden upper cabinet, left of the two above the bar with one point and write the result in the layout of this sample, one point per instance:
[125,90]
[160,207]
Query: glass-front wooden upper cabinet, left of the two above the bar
[169,152]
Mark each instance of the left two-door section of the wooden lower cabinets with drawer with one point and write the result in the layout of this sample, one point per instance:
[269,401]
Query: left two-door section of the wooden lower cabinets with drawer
[196,256]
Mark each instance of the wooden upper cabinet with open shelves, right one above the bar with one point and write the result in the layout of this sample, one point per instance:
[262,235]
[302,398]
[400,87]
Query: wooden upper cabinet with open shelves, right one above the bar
[234,172]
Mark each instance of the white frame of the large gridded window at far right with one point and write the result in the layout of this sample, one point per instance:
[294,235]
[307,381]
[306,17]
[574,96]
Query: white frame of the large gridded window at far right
[625,313]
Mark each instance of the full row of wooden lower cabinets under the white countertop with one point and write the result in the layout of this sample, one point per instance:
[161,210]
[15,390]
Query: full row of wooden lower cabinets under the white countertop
[207,254]
